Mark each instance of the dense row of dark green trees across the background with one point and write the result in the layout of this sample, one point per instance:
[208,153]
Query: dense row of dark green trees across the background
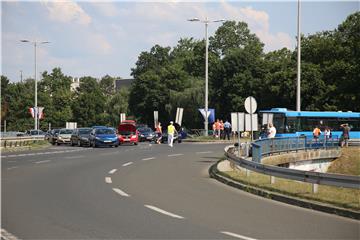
[166,78]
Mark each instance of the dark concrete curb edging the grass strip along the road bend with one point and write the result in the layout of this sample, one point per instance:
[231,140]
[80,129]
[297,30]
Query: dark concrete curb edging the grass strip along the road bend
[214,173]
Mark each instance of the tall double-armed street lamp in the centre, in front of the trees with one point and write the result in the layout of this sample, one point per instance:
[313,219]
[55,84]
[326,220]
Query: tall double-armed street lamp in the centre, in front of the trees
[206,21]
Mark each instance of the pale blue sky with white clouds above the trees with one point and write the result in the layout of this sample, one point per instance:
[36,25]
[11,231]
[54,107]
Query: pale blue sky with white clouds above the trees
[98,38]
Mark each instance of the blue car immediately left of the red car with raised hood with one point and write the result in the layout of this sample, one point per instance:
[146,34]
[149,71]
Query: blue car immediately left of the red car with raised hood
[104,136]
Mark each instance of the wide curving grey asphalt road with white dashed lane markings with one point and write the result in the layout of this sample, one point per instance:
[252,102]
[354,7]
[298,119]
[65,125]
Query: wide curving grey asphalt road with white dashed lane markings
[144,192]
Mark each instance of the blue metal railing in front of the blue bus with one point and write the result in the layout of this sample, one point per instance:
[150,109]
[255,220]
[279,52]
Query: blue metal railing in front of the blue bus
[267,146]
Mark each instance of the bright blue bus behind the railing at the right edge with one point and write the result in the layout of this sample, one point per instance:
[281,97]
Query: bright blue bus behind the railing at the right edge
[292,123]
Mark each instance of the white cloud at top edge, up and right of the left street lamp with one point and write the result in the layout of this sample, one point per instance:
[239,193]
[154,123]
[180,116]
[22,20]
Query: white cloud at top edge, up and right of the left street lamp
[67,11]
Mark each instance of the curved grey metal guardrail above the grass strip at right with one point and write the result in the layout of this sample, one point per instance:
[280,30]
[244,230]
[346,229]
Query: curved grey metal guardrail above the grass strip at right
[337,180]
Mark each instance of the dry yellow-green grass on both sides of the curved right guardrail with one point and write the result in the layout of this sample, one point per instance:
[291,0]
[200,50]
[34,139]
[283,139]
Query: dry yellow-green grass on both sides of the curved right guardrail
[349,198]
